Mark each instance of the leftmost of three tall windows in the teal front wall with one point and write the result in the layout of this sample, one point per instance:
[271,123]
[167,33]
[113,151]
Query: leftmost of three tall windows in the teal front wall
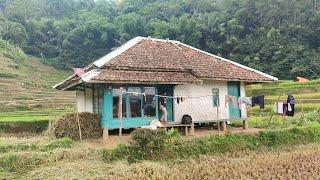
[117,103]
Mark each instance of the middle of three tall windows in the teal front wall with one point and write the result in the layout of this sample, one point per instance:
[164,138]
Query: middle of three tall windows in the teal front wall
[135,101]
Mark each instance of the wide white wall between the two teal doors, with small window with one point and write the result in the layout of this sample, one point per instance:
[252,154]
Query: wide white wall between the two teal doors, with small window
[201,109]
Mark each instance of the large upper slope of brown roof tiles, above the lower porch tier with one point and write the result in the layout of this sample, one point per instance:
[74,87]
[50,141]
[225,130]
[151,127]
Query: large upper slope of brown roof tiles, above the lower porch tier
[153,54]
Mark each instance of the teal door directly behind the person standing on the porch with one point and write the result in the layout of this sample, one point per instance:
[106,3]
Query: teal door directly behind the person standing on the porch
[169,101]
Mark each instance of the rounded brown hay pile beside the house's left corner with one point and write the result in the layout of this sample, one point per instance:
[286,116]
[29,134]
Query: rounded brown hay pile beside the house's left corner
[67,126]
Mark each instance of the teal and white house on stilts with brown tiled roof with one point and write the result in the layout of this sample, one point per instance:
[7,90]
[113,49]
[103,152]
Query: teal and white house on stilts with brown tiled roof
[112,85]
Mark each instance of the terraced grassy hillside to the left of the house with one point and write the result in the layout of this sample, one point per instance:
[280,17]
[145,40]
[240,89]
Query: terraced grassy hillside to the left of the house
[26,92]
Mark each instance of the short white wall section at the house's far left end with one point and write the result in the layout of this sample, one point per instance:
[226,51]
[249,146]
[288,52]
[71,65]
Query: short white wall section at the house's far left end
[84,100]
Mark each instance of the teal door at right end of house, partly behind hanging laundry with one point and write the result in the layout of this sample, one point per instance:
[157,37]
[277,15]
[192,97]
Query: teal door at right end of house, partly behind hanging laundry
[234,90]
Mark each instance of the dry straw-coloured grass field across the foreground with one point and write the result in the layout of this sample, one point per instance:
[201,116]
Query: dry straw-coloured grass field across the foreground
[82,161]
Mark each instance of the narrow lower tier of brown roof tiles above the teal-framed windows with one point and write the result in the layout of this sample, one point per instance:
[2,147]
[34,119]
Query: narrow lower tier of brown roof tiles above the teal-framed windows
[147,77]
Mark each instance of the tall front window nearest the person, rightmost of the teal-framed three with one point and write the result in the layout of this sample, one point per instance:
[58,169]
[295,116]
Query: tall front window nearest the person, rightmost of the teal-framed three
[149,103]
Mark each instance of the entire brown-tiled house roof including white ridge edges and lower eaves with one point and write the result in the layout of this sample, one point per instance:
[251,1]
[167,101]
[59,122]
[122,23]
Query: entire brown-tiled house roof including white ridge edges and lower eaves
[157,61]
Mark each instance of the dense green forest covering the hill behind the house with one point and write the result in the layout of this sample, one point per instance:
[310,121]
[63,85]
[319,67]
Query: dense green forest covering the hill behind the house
[279,37]
